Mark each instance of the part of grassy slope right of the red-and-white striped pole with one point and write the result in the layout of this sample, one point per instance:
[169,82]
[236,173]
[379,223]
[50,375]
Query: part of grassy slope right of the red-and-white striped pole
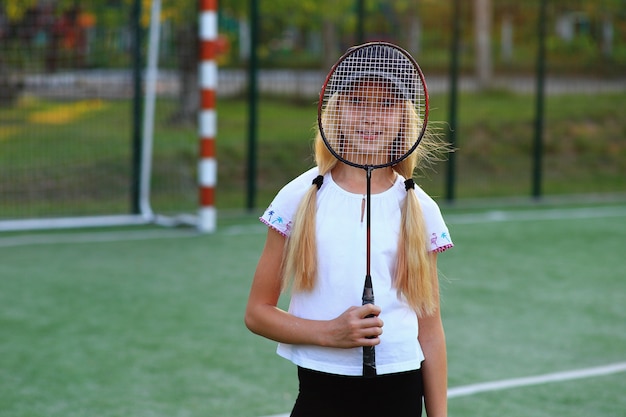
[585,150]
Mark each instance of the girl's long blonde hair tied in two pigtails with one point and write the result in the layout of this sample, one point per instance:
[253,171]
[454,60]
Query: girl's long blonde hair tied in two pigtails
[414,267]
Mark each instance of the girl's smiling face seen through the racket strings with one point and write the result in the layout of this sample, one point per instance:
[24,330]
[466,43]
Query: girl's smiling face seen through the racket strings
[370,120]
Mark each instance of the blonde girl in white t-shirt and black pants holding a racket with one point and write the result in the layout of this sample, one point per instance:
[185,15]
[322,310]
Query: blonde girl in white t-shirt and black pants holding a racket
[315,246]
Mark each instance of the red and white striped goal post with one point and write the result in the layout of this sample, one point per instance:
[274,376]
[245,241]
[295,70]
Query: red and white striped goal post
[207,169]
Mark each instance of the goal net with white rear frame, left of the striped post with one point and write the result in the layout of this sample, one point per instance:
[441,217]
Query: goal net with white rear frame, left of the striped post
[73,147]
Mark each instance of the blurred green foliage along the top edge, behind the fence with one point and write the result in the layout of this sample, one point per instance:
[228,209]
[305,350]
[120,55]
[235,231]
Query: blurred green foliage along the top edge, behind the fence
[290,32]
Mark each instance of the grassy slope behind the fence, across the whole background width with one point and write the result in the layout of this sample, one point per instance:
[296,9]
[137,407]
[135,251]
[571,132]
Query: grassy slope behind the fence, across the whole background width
[84,162]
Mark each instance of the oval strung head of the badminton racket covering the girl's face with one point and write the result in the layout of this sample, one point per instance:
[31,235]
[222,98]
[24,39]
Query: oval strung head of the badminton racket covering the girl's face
[373,106]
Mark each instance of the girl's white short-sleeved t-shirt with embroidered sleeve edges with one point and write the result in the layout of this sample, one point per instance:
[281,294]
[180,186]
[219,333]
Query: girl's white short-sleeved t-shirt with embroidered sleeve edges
[341,246]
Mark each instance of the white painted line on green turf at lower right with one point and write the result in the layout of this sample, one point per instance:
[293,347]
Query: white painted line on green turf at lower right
[472,389]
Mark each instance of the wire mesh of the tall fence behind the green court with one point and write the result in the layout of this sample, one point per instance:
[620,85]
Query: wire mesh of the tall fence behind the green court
[68,115]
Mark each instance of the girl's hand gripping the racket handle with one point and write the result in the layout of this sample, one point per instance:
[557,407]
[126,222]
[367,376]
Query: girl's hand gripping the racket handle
[353,328]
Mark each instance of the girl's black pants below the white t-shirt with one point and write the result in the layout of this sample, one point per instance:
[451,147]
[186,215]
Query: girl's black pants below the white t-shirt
[327,395]
